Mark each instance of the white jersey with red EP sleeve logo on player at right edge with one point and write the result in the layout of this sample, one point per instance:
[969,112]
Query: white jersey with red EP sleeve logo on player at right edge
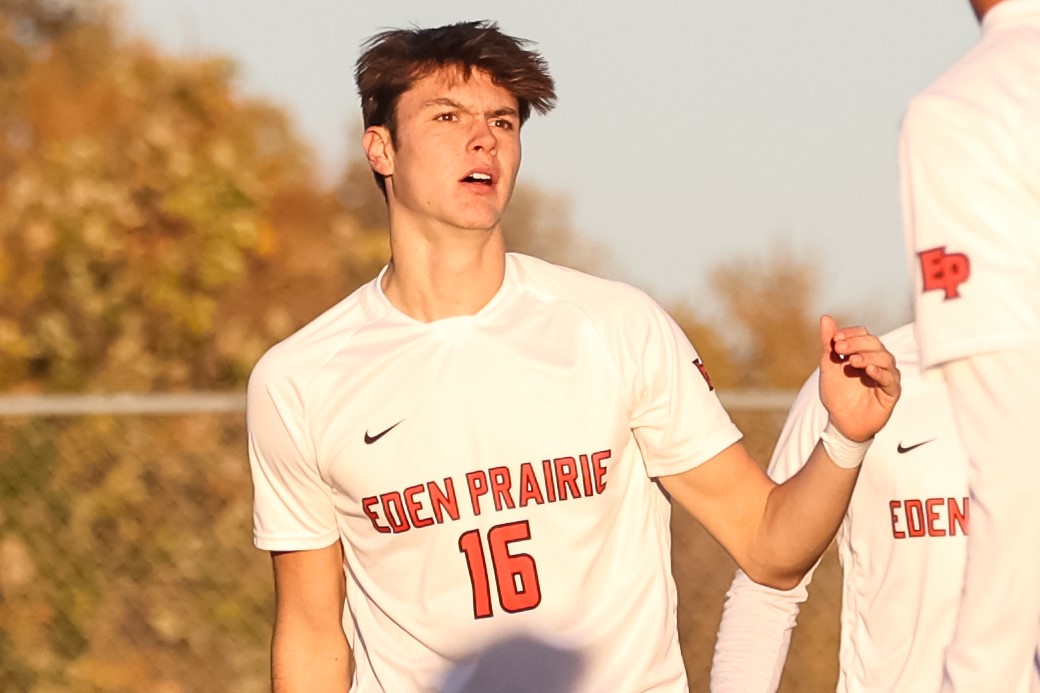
[970,161]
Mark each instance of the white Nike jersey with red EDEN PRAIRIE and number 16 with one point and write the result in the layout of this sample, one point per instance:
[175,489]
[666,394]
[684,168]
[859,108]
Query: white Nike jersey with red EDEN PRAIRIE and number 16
[492,481]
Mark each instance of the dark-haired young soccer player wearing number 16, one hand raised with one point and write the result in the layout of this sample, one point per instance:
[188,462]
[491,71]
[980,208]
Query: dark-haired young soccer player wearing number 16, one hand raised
[475,452]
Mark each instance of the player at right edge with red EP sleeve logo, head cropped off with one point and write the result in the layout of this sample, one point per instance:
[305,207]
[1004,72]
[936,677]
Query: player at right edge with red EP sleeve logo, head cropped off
[971,176]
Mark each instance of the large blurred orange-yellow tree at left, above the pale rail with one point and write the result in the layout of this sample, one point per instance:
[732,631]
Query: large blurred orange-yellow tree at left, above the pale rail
[138,193]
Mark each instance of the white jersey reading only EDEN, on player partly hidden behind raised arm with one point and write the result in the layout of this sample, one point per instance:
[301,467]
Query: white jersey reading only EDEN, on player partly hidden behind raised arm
[902,548]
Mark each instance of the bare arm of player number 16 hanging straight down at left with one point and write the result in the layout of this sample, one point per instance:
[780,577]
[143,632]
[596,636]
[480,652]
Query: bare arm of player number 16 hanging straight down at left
[309,650]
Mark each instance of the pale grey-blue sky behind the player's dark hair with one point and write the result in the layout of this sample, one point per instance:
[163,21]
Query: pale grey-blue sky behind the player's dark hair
[687,135]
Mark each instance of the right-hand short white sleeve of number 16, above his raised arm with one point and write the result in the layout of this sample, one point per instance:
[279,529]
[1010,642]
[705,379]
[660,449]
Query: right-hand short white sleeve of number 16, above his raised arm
[677,417]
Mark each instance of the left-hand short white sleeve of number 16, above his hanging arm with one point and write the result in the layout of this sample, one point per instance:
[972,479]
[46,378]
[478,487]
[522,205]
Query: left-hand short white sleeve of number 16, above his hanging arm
[293,508]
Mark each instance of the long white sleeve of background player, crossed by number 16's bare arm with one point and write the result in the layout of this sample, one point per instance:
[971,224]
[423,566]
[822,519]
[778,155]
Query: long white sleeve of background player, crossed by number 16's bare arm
[758,622]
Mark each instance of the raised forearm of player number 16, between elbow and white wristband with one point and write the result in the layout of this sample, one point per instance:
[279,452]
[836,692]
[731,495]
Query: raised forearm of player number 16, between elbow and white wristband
[800,521]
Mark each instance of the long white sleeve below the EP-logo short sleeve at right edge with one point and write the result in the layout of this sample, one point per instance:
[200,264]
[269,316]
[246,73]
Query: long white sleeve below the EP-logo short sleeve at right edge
[997,399]
